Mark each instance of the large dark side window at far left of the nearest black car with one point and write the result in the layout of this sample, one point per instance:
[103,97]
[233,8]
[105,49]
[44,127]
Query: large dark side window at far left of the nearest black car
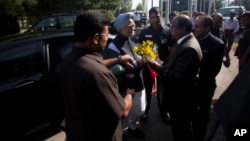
[19,62]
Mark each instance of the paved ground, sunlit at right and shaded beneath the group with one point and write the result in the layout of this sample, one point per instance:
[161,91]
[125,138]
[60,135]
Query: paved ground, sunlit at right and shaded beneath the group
[156,130]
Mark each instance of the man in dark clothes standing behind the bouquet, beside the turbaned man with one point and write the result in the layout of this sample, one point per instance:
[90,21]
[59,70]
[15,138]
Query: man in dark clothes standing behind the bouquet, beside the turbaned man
[159,34]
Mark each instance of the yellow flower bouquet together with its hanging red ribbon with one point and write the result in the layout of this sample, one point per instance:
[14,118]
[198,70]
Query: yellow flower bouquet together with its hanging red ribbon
[148,49]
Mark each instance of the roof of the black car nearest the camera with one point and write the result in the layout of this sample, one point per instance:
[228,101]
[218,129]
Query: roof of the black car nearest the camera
[32,36]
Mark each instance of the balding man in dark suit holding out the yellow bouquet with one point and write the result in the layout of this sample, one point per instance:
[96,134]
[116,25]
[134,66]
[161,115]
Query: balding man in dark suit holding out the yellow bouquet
[178,76]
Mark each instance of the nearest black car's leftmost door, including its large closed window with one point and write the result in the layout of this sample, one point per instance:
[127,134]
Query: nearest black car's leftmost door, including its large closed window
[20,78]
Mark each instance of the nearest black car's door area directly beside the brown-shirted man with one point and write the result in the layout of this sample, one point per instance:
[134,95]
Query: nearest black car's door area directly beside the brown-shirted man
[54,50]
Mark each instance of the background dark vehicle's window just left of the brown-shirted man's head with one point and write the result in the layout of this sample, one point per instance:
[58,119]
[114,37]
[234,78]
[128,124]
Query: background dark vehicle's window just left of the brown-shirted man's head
[67,21]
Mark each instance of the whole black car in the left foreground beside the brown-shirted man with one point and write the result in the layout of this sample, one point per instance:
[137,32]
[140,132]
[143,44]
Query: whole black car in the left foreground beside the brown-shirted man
[30,82]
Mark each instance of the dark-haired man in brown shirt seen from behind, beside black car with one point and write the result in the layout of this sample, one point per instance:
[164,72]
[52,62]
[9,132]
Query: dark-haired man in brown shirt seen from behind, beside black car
[89,87]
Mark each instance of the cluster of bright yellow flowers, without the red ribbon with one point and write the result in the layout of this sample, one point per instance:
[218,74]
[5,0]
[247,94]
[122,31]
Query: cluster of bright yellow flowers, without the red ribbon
[147,48]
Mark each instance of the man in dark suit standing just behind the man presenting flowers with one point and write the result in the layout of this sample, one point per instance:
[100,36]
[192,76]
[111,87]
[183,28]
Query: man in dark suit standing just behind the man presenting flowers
[213,52]
